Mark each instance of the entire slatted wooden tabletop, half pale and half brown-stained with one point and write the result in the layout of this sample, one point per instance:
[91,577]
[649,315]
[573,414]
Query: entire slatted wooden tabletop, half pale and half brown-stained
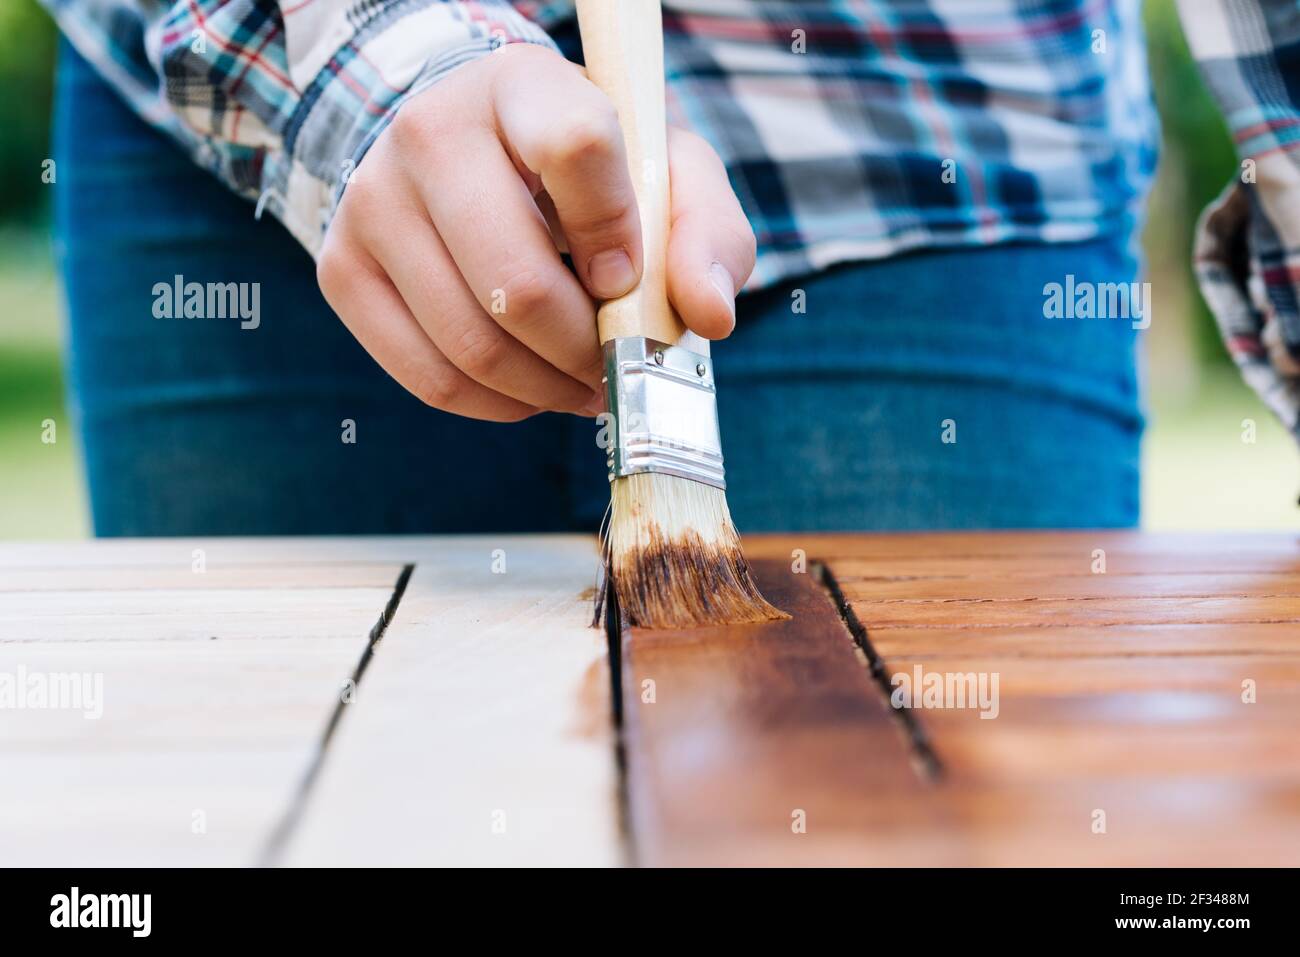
[447,701]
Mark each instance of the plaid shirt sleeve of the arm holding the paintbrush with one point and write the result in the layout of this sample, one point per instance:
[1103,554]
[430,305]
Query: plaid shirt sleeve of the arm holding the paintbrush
[283,98]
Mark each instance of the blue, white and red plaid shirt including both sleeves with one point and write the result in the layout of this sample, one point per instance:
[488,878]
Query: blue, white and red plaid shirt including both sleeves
[852,129]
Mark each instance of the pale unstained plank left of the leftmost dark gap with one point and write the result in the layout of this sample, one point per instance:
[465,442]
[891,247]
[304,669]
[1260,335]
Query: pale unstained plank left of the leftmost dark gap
[205,728]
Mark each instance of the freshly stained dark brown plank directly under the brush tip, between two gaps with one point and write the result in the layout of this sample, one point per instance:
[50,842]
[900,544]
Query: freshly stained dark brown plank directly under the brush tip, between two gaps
[751,728]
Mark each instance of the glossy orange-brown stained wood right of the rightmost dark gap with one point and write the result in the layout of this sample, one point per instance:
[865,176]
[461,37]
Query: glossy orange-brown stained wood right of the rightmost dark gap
[1119,694]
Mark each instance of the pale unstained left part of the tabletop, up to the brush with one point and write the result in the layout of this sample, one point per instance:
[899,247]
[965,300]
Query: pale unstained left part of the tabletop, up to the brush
[489,695]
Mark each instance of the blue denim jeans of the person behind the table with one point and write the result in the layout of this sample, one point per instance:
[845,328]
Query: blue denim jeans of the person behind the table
[833,418]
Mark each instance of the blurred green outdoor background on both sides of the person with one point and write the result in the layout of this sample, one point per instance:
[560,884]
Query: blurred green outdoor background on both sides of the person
[1198,473]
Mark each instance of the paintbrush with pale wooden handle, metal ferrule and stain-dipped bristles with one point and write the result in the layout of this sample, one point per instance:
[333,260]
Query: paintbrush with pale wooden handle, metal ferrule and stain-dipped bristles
[671,552]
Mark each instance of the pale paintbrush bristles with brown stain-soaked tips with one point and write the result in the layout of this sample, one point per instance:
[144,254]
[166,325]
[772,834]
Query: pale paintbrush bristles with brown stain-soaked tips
[675,557]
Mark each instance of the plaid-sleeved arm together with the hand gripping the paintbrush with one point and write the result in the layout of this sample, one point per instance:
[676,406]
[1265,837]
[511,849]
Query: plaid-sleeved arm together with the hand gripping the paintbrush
[453,125]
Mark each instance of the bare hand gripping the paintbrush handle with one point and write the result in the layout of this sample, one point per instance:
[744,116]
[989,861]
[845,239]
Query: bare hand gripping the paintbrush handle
[441,263]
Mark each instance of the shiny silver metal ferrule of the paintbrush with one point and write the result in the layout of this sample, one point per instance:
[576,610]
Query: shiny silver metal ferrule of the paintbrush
[665,412]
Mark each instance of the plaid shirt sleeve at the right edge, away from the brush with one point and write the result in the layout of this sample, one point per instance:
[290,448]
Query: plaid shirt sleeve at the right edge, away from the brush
[1247,256]
